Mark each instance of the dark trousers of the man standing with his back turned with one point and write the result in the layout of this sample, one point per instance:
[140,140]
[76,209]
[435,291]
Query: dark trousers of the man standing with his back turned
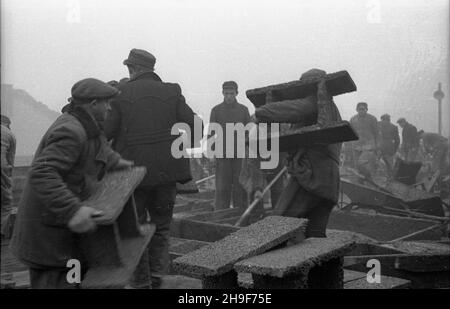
[157,202]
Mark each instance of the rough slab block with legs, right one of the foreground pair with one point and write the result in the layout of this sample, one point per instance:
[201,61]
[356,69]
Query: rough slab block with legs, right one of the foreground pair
[313,263]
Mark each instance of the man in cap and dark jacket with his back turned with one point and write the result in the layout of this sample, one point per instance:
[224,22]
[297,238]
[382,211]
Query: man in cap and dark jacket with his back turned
[140,124]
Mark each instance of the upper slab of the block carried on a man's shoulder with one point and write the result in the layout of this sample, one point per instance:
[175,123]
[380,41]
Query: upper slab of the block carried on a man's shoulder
[337,83]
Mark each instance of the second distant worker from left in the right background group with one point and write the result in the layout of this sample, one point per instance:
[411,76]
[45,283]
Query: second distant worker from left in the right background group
[389,142]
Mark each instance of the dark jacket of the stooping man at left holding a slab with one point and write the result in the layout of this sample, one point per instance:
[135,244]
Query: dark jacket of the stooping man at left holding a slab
[71,159]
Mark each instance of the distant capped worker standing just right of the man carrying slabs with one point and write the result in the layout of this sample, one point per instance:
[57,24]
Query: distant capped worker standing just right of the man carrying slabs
[365,148]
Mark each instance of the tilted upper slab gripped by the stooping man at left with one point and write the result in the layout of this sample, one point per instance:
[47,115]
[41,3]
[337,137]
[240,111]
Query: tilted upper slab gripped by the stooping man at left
[114,191]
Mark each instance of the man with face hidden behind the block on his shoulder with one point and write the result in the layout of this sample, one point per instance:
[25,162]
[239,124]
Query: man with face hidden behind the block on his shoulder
[313,188]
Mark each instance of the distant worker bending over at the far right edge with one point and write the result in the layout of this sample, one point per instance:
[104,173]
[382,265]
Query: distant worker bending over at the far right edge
[438,147]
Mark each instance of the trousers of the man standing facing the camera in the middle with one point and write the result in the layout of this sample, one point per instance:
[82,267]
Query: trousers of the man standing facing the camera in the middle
[228,186]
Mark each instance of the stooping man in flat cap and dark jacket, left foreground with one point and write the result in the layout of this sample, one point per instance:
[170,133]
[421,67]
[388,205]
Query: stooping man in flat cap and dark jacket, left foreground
[71,159]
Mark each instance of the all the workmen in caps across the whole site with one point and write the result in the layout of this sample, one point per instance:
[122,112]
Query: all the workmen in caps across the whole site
[116,125]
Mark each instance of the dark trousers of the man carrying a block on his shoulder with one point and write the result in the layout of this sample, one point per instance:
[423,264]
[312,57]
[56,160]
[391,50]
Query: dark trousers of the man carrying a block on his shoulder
[312,207]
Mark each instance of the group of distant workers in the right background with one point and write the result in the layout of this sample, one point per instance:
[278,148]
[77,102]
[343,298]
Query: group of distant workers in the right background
[381,140]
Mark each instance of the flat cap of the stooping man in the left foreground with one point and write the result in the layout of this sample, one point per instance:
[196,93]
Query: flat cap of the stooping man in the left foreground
[91,88]
